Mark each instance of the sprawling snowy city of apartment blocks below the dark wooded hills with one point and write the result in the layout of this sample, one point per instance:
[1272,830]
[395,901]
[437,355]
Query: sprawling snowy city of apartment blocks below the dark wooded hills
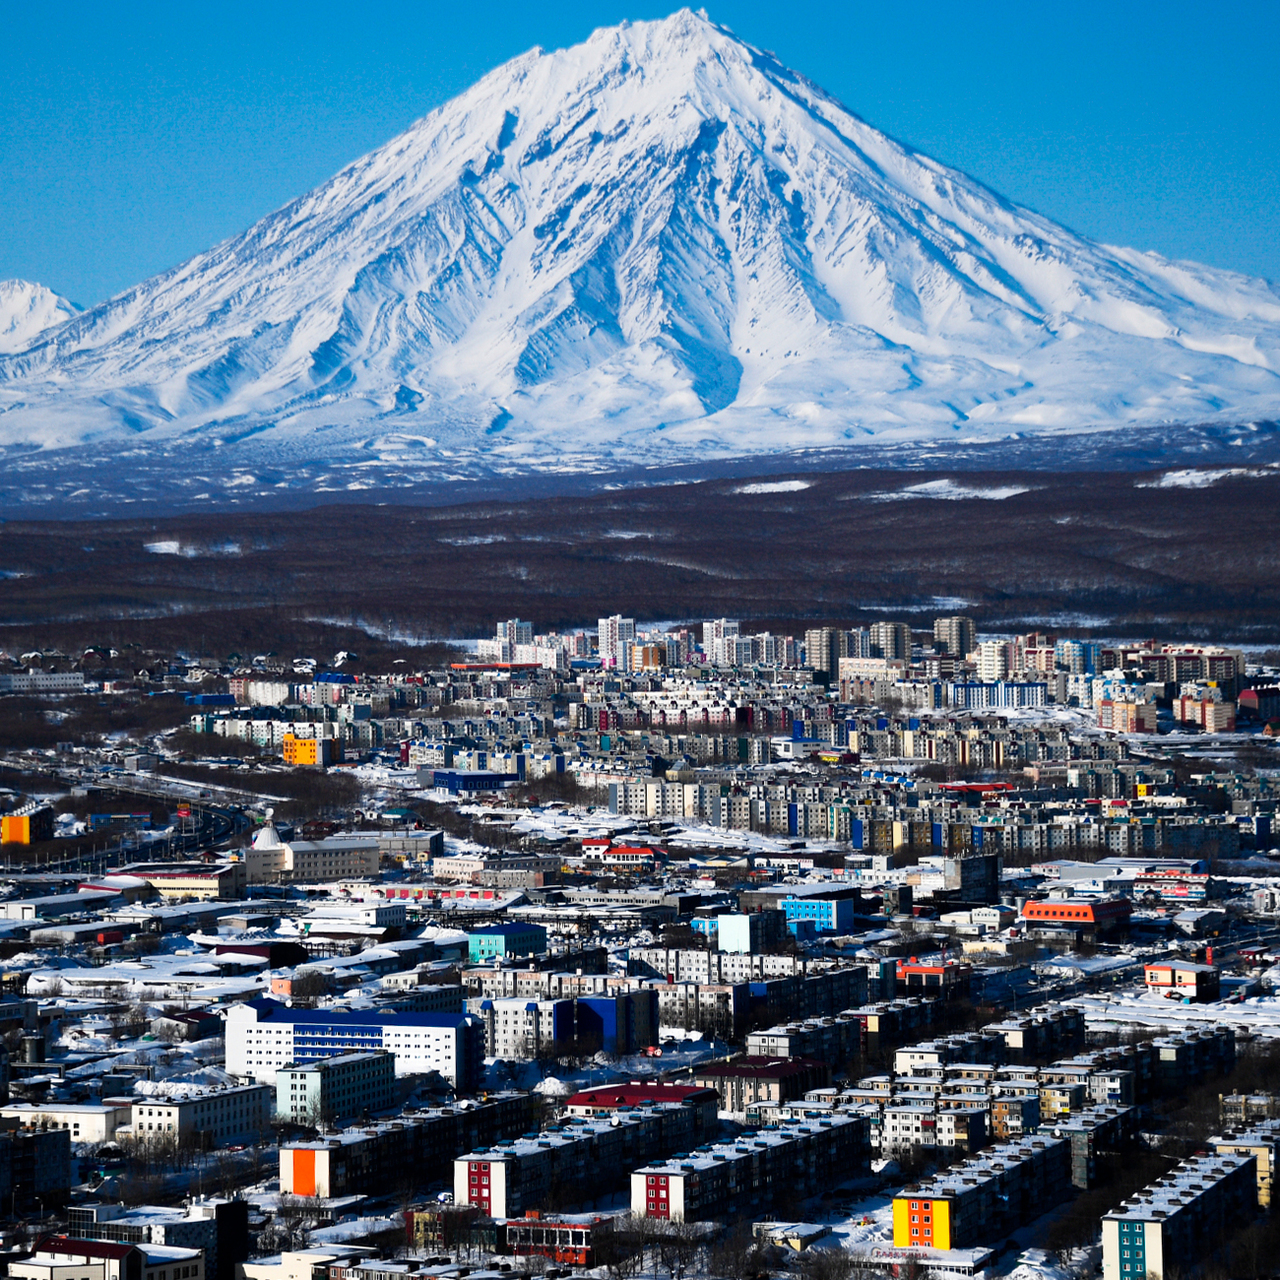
[675,949]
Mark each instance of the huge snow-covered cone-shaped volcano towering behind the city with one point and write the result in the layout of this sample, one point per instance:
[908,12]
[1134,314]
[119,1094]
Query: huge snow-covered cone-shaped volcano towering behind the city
[655,246]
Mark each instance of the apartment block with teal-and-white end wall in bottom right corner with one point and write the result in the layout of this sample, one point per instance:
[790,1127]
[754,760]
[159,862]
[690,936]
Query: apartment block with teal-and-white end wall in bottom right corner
[1178,1222]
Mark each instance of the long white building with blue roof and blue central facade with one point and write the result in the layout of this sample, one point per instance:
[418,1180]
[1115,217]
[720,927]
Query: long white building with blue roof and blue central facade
[263,1036]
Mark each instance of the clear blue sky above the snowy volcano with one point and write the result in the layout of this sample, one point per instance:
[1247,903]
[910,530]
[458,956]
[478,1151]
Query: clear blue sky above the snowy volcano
[135,135]
